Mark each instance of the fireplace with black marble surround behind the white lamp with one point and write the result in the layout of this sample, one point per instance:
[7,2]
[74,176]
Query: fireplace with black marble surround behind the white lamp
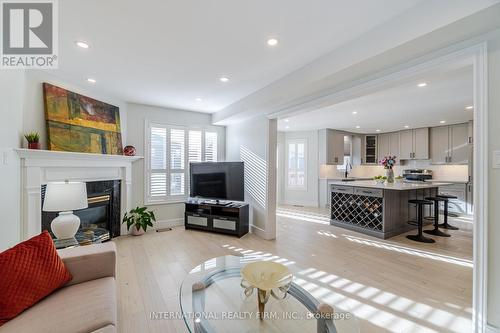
[103,210]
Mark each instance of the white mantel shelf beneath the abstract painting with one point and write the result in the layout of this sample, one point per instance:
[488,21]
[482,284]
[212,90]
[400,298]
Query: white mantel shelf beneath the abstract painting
[62,155]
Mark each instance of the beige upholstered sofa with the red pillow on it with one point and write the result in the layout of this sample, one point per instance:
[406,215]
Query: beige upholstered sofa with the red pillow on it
[85,304]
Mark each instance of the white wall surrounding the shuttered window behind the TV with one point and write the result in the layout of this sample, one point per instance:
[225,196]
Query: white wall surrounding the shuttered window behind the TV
[166,214]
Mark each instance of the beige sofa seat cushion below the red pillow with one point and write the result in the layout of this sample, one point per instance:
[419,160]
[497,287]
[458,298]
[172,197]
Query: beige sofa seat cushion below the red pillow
[80,308]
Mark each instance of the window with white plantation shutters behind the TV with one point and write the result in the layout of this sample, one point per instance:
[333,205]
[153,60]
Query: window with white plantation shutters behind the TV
[171,149]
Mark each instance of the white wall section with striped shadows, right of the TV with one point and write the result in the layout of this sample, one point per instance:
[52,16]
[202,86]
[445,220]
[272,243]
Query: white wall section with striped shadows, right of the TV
[254,142]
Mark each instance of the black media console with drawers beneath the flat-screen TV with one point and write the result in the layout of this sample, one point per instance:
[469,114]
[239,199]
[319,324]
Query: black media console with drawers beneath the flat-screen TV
[217,216]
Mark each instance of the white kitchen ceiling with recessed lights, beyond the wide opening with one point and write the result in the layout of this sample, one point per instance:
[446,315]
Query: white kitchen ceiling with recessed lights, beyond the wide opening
[449,90]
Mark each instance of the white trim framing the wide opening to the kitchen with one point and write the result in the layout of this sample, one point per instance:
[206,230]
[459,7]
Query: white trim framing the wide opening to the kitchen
[477,54]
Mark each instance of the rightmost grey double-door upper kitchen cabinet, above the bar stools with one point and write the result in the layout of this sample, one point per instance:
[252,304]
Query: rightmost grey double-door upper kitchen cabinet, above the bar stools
[450,144]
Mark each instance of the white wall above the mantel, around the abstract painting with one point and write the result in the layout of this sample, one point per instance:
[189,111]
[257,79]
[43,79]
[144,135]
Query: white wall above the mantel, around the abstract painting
[34,112]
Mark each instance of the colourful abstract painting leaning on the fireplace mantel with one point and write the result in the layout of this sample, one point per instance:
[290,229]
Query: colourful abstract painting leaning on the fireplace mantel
[78,123]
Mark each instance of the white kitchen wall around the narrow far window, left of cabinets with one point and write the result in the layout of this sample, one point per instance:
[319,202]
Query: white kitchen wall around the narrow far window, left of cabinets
[308,196]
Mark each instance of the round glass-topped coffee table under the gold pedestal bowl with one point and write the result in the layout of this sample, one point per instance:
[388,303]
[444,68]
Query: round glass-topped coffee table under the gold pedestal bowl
[212,300]
